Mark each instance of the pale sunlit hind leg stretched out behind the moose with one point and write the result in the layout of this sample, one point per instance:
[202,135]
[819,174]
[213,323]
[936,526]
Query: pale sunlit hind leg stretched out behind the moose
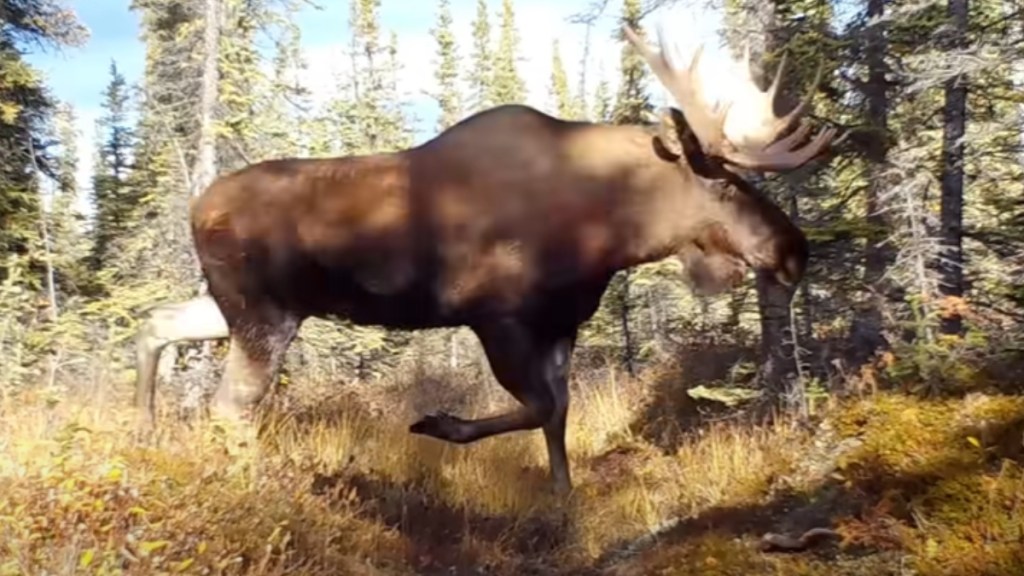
[198,319]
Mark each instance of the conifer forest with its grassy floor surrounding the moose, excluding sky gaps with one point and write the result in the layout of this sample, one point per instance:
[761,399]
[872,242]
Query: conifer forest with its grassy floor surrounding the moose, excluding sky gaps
[869,422]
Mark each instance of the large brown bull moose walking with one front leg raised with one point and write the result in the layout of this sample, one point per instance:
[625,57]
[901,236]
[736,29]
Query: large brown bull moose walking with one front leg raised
[511,223]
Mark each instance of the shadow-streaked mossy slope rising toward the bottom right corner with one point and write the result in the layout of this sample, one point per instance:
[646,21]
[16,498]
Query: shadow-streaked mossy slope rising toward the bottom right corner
[948,515]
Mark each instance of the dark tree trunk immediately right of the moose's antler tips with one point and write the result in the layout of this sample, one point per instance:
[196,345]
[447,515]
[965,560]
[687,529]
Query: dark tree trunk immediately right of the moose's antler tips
[867,331]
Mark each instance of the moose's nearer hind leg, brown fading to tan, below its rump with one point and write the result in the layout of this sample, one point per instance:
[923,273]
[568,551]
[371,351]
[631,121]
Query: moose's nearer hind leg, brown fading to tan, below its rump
[254,357]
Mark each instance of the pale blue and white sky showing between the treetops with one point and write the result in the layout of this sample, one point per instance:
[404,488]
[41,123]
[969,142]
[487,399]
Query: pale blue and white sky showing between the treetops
[79,75]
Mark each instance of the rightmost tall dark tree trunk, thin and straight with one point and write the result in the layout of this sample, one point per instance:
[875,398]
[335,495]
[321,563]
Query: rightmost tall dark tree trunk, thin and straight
[952,258]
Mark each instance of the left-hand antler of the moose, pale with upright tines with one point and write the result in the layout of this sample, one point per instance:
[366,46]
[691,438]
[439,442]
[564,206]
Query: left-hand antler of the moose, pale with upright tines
[686,88]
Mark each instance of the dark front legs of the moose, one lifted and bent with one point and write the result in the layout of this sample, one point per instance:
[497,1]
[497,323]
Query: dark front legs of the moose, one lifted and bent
[533,365]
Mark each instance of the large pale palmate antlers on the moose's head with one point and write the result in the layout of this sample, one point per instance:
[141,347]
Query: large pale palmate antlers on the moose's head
[757,146]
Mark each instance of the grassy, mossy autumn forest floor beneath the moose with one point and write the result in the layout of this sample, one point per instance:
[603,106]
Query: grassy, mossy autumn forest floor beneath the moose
[336,485]
